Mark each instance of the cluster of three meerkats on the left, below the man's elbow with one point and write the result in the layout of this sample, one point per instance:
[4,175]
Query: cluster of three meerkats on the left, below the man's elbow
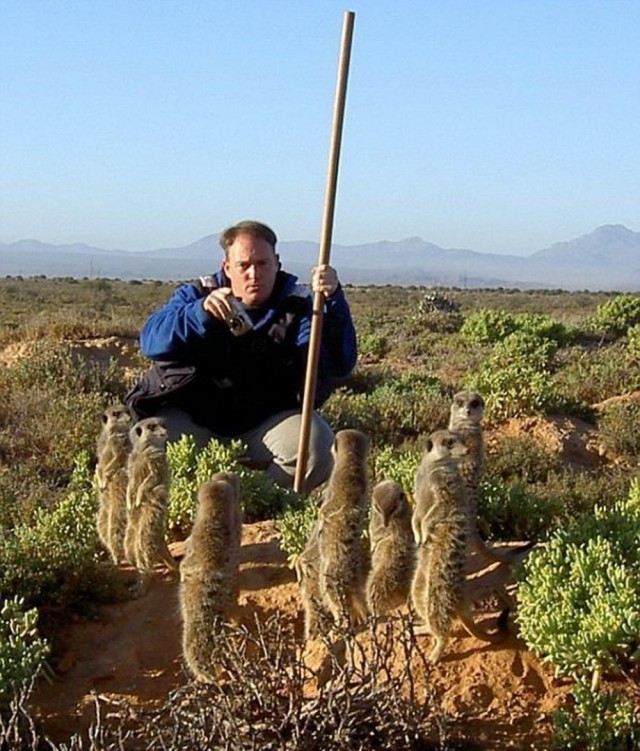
[132,477]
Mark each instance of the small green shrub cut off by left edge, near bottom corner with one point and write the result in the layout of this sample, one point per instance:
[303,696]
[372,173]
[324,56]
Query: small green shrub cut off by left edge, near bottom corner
[22,651]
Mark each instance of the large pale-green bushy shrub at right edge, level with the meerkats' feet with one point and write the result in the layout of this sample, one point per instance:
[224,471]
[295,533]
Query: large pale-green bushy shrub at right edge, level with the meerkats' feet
[580,595]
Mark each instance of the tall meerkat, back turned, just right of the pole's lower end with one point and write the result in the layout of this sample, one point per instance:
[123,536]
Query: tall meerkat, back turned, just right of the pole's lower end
[340,523]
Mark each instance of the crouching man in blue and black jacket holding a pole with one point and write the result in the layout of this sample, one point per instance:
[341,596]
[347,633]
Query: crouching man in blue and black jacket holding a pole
[230,355]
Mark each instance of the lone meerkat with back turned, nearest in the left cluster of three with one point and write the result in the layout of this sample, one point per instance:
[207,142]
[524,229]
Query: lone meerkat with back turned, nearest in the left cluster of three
[209,571]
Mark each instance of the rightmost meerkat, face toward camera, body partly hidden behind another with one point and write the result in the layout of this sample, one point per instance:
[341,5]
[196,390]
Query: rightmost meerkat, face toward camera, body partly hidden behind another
[467,411]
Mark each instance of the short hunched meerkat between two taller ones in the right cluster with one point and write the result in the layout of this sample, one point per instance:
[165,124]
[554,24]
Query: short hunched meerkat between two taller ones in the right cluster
[392,548]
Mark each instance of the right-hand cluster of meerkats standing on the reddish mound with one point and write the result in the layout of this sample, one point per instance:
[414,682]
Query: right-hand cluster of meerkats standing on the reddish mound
[418,556]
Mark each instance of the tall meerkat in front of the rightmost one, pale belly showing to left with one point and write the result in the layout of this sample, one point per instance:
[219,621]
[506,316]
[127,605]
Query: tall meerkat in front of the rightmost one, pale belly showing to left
[440,526]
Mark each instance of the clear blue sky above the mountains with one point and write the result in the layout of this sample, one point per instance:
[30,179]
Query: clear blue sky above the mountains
[496,125]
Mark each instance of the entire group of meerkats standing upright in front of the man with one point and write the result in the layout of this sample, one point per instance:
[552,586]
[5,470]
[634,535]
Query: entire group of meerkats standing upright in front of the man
[417,556]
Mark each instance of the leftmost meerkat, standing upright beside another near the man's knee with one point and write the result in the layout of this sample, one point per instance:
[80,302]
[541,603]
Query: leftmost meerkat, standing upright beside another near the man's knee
[113,448]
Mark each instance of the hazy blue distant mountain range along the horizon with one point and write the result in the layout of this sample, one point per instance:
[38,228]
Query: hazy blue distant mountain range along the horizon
[606,259]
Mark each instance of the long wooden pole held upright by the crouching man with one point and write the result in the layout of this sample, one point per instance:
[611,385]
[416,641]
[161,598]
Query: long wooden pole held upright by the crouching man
[325,250]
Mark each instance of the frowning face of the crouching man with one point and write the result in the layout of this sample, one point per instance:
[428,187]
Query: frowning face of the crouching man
[251,265]
